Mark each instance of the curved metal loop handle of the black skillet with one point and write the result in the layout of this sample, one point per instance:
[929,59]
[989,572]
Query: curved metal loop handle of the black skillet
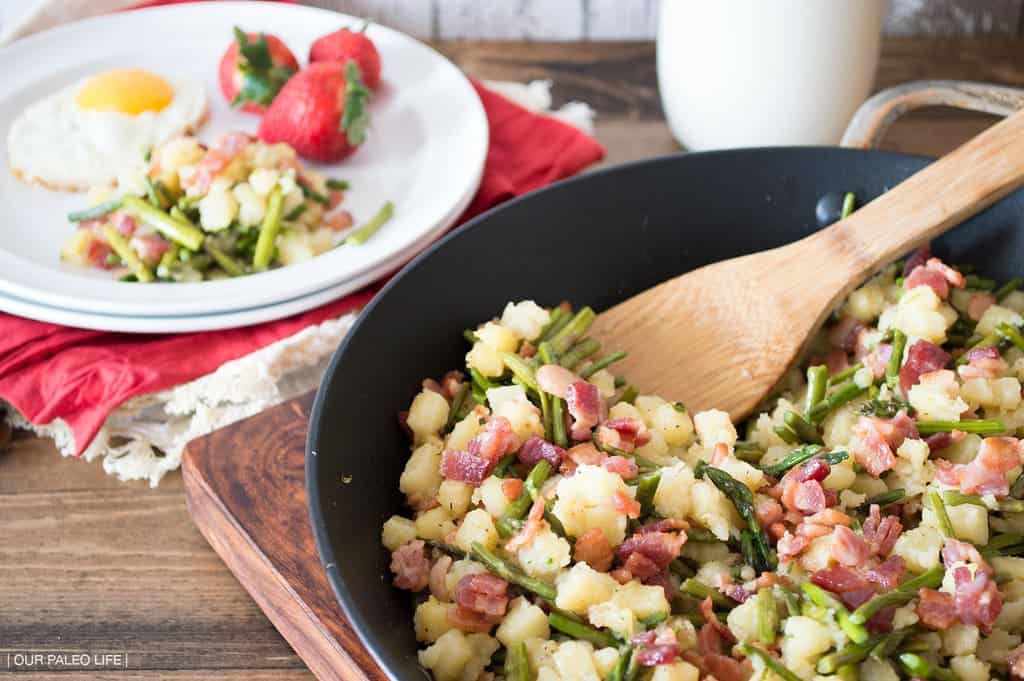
[872,121]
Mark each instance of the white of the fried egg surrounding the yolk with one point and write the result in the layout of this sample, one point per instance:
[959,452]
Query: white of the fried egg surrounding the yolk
[56,144]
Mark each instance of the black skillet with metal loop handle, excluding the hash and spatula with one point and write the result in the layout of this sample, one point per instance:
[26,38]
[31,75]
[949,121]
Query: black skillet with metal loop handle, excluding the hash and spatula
[594,240]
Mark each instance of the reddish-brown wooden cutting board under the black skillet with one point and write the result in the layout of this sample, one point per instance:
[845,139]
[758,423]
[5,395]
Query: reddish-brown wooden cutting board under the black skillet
[245,489]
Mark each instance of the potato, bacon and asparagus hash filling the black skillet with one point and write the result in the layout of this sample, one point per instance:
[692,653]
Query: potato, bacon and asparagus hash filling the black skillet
[869,525]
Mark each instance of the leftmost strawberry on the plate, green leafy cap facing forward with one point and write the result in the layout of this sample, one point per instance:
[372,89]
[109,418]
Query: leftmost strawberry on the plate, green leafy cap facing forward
[254,69]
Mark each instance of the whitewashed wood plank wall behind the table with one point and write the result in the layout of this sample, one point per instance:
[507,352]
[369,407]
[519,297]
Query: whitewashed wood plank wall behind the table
[637,20]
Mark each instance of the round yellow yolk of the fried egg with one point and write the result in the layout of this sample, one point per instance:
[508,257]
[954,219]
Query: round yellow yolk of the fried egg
[129,92]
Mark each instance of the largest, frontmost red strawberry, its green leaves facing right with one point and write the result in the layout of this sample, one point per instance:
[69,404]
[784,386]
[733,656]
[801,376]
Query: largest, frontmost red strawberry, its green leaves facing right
[321,112]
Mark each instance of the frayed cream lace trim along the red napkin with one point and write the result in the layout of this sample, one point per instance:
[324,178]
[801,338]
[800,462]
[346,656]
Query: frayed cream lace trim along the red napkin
[144,439]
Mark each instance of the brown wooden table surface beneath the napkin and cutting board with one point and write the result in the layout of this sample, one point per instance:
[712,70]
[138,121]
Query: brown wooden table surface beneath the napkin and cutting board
[89,564]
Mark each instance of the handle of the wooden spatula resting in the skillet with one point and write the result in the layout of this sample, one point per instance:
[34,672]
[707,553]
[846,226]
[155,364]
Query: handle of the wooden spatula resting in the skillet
[937,198]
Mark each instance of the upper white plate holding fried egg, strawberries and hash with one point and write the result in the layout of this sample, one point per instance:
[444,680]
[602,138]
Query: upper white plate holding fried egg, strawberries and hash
[426,151]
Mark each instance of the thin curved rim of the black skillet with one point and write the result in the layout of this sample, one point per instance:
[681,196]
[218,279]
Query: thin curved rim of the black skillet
[325,547]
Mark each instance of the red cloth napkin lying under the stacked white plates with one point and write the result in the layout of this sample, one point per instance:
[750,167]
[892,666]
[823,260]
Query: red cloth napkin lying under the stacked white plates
[52,372]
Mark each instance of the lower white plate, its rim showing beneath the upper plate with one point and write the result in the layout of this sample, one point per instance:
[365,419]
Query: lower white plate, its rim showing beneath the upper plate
[230,320]
